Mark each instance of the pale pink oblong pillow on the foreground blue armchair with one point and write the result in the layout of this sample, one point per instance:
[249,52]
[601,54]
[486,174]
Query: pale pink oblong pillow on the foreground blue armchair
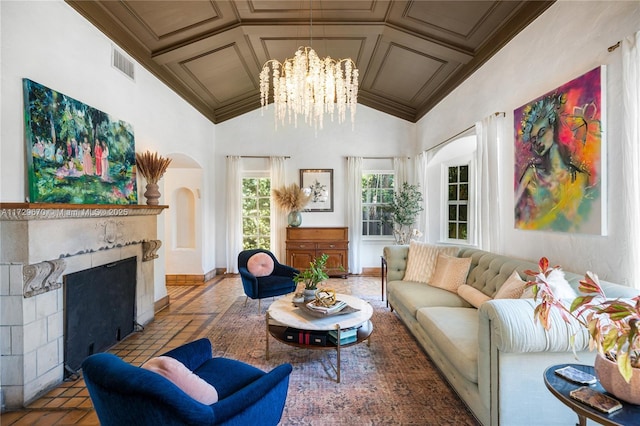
[177,373]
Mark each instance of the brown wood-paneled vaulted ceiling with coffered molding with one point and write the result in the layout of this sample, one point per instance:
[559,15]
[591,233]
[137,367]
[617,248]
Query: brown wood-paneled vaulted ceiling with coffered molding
[410,54]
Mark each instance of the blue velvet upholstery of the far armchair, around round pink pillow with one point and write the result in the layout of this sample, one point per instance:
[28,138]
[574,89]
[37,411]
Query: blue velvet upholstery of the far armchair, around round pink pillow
[278,283]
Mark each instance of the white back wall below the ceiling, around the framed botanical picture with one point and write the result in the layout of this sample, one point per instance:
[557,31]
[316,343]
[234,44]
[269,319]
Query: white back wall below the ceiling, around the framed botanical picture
[375,135]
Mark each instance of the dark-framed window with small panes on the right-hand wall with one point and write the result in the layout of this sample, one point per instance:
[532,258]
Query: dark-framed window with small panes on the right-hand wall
[457,205]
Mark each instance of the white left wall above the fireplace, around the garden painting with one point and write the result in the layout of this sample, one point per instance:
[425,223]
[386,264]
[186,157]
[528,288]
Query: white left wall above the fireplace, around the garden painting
[50,43]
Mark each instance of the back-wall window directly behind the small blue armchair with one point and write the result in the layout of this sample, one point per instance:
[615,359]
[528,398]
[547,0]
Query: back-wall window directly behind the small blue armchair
[256,213]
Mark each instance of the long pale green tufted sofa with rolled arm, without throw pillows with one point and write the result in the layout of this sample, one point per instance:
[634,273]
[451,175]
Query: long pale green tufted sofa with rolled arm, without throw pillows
[494,357]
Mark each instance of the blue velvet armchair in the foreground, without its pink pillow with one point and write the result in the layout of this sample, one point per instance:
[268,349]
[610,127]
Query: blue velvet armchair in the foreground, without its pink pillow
[123,394]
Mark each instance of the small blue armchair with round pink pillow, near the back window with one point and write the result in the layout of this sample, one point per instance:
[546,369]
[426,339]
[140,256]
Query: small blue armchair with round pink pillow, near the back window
[255,280]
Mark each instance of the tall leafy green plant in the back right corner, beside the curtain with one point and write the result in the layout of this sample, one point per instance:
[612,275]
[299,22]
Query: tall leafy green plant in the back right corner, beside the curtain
[403,211]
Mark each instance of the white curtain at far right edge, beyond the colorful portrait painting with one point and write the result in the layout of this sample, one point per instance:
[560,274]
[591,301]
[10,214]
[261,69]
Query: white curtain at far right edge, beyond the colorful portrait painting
[631,152]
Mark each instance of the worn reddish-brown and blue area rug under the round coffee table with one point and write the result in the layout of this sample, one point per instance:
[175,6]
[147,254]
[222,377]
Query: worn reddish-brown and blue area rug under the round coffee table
[390,382]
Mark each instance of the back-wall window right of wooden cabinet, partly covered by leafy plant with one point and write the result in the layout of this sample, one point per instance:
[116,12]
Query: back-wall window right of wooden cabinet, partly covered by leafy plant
[377,193]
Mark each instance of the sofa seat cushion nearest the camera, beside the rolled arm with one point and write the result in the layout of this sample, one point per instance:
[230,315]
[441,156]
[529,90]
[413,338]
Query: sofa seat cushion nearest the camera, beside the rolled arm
[455,332]
